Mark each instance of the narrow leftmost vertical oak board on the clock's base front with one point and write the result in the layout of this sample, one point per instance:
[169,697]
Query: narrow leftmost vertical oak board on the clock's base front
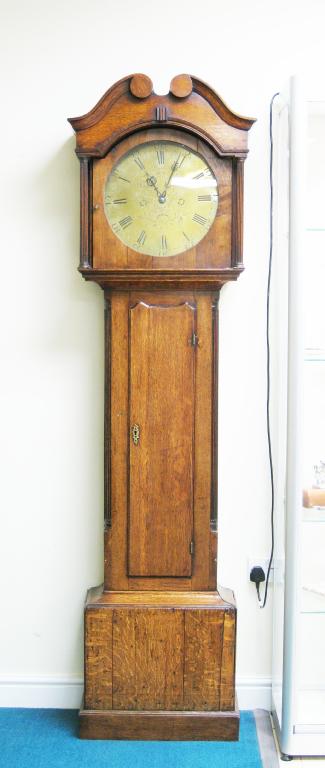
[98,659]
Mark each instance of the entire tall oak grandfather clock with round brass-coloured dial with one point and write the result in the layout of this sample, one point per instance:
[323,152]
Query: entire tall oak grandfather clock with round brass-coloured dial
[161,232]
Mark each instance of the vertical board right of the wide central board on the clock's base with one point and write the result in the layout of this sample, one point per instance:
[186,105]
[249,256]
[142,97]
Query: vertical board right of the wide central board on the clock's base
[202,663]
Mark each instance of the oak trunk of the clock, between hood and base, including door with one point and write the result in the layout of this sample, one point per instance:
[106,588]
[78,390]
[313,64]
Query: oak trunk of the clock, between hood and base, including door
[156,513]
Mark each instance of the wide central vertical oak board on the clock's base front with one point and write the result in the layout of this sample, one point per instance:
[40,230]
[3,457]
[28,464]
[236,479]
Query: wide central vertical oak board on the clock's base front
[148,648]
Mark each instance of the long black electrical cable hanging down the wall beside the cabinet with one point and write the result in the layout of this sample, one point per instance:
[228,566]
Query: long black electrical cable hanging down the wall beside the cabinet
[269,443]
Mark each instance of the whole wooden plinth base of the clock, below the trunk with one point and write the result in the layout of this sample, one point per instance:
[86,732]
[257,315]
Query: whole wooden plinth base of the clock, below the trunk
[160,665]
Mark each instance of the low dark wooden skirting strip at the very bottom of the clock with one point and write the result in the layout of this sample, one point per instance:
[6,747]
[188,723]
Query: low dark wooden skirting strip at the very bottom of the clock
[159,726]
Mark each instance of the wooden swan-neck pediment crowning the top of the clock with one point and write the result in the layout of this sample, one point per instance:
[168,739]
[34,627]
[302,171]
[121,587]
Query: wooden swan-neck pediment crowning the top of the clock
[203,113]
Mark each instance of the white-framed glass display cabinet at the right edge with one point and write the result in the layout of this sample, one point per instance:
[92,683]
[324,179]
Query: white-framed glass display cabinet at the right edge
[299,419]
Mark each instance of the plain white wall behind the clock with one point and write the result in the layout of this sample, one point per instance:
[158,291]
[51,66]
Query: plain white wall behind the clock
[57,59]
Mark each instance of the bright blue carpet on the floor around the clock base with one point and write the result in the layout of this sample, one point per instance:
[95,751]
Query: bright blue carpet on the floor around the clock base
[47,738]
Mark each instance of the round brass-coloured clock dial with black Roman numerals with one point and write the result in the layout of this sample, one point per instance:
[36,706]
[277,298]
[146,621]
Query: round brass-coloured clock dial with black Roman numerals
[161,198]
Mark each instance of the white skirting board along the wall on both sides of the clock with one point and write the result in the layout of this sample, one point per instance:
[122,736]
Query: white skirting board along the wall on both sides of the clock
[66,692]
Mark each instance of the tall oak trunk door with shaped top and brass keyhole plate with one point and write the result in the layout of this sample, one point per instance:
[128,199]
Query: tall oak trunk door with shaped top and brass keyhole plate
[161,456]
